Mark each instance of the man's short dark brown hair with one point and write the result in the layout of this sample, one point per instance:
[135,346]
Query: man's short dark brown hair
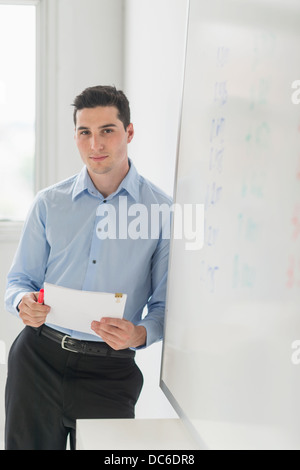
[103,96]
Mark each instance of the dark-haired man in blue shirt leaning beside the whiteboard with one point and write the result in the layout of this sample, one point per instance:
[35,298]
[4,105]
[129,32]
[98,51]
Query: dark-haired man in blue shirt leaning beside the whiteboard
[54,379]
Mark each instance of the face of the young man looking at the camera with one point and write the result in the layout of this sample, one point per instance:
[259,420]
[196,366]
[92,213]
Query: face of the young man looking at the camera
[102,140]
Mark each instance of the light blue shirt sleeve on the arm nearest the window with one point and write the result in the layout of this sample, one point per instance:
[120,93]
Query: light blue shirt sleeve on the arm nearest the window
[27,272]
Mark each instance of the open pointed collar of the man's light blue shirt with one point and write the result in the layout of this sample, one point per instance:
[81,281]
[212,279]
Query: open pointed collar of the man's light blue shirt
[130,183]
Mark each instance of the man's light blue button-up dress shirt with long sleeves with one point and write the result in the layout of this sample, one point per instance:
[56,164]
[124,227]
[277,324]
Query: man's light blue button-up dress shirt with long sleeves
[60,245]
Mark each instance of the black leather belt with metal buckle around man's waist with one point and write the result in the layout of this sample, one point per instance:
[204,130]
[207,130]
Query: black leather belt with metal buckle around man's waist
[90,348]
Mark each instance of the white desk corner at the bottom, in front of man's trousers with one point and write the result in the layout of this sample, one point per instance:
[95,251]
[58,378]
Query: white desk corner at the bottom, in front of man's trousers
[133,434]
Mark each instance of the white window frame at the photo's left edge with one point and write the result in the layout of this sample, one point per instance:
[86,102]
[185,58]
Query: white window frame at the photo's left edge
[45,168]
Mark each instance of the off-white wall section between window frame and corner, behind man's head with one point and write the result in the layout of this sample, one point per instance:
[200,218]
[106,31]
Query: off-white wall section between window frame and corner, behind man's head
[90,52]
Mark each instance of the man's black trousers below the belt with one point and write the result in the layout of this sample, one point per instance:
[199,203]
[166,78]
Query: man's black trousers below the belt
[48,388]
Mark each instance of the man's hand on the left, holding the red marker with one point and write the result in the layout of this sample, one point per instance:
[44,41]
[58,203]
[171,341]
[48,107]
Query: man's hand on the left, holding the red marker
[31,312]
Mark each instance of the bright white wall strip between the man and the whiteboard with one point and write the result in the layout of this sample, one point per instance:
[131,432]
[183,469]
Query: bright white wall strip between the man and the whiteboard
[155,32]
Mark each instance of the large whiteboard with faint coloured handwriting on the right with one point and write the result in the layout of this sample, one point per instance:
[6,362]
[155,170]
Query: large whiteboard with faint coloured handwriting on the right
[233,307]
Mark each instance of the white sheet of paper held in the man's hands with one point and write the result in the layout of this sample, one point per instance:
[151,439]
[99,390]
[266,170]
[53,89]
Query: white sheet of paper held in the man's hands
[76,309]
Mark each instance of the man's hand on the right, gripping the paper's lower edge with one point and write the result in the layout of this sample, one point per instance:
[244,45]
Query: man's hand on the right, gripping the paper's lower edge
[119,333]
